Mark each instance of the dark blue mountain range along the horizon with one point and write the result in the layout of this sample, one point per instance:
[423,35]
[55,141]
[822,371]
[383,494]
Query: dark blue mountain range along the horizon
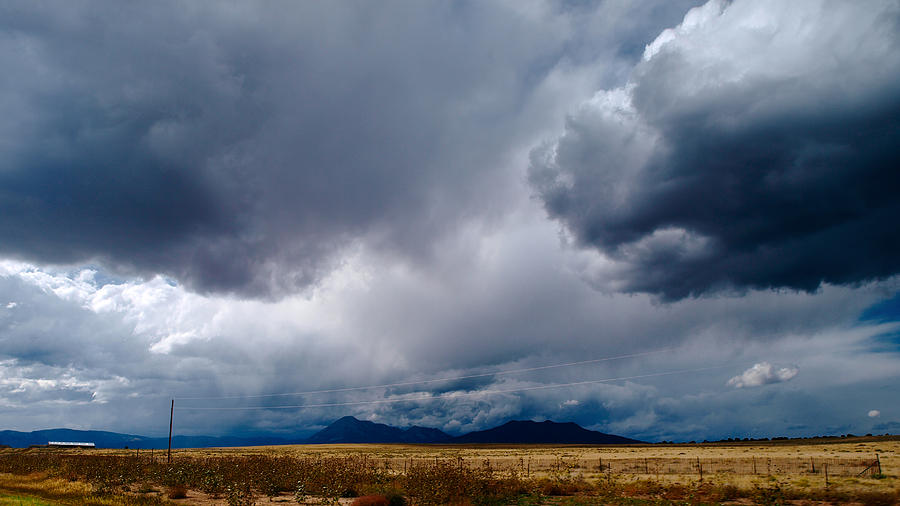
[345,430]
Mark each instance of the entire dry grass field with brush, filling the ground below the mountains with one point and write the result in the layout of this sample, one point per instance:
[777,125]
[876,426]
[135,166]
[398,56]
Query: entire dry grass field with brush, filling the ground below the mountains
[739,473]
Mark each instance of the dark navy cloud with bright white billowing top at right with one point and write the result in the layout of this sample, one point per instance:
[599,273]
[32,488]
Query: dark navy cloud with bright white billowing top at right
[756,145]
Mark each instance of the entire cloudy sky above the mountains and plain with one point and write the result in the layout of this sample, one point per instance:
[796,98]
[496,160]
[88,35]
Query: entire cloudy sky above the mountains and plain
[288,212]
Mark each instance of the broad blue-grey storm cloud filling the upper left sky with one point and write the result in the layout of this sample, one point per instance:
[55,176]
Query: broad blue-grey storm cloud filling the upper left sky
[239,147]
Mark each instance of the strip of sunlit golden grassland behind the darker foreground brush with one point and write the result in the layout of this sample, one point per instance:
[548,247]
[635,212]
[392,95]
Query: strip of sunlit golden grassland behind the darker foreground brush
[542,460]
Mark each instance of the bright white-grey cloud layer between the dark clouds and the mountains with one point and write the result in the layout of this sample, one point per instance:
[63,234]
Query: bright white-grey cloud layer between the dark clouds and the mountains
[100,353]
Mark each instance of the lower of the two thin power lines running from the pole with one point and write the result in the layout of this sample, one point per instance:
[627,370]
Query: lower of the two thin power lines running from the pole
[456,395]
